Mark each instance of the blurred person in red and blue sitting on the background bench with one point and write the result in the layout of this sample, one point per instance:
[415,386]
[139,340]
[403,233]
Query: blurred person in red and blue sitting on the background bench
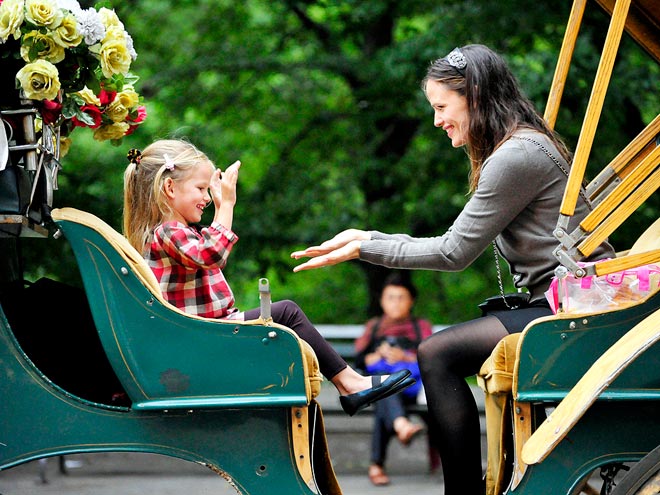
[389,343]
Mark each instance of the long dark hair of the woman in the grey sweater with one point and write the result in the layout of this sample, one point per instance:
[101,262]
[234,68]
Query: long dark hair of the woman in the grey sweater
[496,104]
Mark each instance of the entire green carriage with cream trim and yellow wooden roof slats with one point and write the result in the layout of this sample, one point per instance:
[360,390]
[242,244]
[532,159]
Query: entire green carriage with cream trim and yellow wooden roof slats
[573,395]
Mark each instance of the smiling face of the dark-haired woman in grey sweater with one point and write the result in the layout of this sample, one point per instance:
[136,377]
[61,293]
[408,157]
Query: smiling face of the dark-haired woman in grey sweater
[449,112]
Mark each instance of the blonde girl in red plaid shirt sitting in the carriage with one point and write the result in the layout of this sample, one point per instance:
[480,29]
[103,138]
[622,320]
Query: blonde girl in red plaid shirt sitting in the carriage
[166,189]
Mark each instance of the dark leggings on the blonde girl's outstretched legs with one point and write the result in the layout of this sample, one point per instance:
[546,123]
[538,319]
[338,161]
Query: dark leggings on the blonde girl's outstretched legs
[289,314]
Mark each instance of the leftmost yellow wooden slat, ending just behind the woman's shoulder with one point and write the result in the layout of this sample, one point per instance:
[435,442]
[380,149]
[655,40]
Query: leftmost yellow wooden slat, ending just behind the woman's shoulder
[564,62]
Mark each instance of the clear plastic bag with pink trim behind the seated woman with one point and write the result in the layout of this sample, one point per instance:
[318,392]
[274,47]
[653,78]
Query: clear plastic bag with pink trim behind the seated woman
[594,294]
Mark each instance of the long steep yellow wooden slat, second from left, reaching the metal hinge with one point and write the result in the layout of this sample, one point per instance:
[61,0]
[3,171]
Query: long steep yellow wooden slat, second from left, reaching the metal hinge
[594,107]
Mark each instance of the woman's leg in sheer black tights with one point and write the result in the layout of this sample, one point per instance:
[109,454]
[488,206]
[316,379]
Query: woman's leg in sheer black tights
[446,358]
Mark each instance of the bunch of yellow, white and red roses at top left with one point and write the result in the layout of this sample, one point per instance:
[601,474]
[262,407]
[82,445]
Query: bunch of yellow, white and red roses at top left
[74,63]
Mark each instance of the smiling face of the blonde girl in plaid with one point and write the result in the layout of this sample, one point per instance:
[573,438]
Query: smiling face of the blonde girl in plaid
[189,196]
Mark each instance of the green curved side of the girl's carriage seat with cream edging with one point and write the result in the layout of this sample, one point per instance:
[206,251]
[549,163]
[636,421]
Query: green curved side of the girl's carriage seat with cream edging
[168,359]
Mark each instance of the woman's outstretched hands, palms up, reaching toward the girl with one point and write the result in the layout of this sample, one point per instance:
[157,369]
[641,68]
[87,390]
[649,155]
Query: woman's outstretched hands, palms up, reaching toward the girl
[342,247]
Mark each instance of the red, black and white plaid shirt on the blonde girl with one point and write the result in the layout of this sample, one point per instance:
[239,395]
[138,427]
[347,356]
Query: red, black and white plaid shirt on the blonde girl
[188,264]
